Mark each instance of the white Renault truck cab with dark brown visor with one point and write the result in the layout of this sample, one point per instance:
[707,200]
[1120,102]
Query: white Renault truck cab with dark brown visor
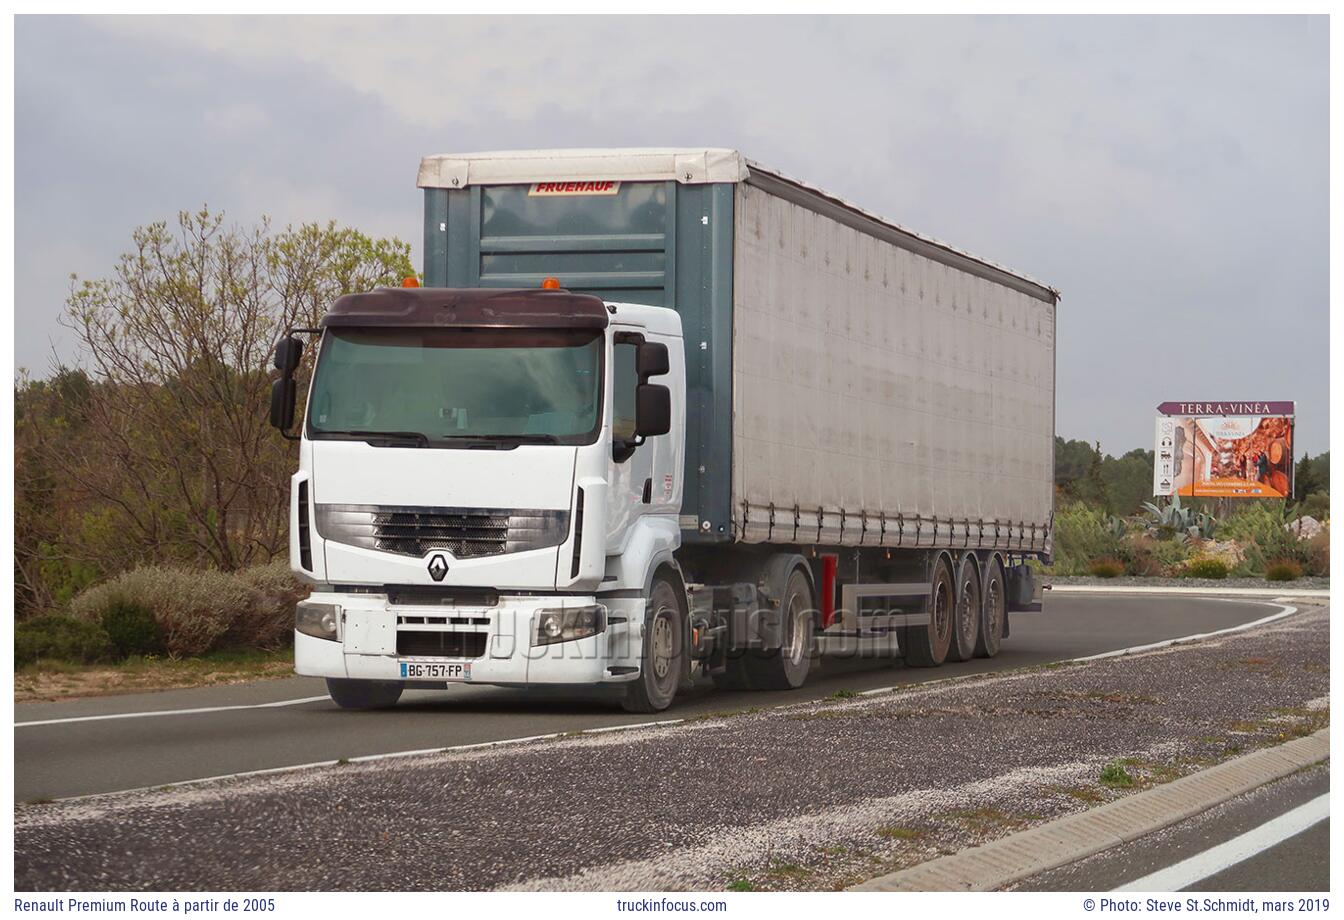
[489,487]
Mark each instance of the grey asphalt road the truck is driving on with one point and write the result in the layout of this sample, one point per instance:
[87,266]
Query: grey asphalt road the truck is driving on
[103,751]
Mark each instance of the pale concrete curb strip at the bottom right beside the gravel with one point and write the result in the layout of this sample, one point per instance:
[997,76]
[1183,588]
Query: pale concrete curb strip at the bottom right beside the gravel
[1079,836]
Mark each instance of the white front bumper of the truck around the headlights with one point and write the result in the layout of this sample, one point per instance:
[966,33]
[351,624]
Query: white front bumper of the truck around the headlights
[368,641]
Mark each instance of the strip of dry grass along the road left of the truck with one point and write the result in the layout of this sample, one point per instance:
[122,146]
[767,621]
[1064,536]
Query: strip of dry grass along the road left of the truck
[61,680]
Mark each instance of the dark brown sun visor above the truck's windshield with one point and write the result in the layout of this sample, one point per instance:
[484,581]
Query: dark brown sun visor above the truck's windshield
[468,307]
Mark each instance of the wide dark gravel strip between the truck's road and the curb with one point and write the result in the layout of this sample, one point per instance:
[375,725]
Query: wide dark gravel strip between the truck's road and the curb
[815,796]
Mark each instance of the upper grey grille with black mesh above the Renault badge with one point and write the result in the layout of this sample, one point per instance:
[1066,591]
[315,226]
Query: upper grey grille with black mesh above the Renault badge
[466,533]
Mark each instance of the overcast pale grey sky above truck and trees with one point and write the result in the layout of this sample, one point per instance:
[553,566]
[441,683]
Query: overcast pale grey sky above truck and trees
[1169,175]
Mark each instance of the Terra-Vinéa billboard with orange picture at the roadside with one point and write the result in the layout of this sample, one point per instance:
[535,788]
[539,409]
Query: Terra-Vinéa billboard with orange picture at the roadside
[1225,451]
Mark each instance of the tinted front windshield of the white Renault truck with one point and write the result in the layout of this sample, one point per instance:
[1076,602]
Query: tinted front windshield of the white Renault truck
[446,386]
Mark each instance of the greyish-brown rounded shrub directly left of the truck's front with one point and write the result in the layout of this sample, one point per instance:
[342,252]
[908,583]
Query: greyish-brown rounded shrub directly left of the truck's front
[202,610]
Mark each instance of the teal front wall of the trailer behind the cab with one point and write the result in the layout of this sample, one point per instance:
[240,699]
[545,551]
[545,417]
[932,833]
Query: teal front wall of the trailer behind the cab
[653,242]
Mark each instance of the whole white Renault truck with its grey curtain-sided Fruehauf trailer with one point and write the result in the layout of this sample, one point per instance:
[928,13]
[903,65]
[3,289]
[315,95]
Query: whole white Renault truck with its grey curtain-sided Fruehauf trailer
[665,413]
